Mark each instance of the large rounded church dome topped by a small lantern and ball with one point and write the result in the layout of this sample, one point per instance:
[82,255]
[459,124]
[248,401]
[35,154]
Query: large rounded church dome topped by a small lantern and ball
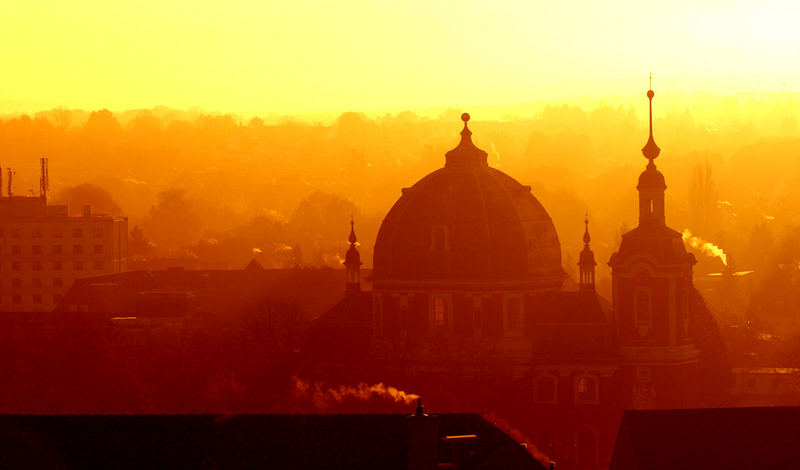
[467,224]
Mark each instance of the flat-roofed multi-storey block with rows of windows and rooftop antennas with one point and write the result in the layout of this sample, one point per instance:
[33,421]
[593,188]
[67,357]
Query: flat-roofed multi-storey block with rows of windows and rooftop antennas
[43,250]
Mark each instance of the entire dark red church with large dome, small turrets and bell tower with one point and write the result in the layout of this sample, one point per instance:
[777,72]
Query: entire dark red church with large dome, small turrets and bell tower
[470,303]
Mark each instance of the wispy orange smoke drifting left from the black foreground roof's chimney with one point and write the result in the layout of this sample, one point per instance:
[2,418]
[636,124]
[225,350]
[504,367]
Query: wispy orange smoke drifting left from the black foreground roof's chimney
[323,395]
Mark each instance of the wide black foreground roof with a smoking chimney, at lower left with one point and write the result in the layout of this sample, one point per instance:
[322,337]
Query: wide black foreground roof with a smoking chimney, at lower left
[295,441]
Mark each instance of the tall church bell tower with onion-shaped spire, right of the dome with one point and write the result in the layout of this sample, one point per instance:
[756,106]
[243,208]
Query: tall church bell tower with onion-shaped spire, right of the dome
[652,284]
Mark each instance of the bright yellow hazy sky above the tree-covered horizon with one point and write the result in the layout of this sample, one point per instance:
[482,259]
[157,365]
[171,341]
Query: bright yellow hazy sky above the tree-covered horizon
[305,56]
